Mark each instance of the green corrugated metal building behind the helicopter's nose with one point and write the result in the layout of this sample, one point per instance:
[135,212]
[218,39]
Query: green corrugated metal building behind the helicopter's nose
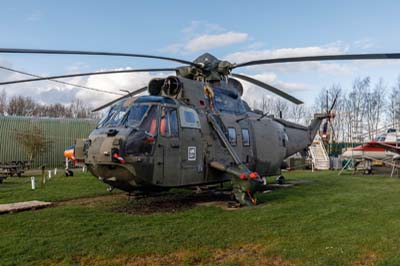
[61,132]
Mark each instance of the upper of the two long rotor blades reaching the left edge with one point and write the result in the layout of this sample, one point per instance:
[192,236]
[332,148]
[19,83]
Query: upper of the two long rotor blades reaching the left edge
[71,52]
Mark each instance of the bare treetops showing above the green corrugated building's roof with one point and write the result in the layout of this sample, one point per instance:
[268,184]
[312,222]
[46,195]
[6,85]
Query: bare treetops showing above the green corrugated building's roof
[26,106]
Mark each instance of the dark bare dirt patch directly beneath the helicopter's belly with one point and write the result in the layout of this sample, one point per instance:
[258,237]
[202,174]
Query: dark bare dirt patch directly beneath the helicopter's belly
[173,202]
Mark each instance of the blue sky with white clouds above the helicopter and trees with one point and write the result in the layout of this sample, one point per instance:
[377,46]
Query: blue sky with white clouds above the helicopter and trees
[237,31]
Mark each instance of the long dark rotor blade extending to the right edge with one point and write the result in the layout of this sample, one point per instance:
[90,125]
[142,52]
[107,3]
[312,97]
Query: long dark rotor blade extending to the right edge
[320,58]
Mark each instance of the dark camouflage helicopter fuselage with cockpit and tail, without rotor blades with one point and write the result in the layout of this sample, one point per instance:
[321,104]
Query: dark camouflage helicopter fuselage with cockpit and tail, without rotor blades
[173,143]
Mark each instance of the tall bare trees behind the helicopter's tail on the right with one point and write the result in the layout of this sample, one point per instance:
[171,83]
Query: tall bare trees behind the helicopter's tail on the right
[361,112]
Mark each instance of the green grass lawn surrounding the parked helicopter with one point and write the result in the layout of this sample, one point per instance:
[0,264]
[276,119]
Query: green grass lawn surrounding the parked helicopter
[332,220]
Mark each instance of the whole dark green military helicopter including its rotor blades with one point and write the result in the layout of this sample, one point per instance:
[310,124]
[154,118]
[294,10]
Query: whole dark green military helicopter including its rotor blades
[194,128]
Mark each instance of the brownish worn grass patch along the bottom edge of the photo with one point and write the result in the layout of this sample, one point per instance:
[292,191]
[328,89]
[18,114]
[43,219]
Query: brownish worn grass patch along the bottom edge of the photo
[249,254]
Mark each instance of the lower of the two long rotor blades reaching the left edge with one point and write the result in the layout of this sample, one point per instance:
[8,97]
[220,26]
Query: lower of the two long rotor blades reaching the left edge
[89,74]
